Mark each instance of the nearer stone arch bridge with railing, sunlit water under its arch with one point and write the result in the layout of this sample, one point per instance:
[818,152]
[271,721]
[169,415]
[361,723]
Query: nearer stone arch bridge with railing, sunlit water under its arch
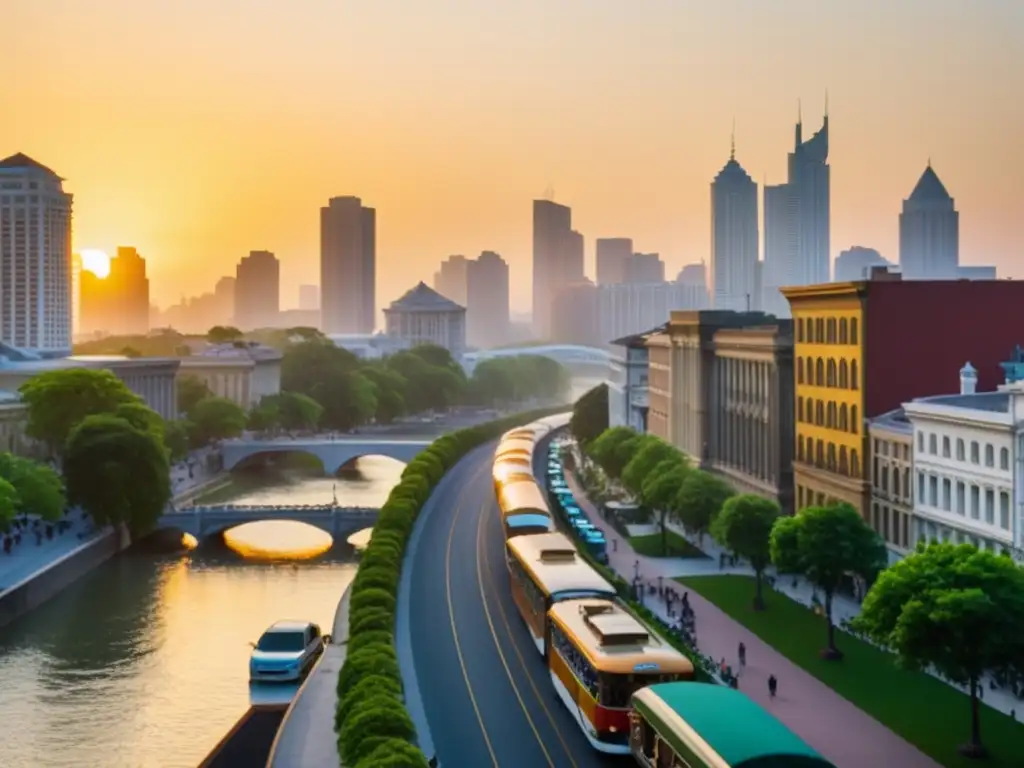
[203,522]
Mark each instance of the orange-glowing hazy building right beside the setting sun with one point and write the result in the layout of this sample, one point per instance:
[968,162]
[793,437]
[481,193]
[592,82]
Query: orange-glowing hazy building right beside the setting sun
[119,304]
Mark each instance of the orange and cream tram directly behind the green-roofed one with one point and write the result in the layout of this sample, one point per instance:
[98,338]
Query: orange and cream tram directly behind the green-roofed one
[600,655]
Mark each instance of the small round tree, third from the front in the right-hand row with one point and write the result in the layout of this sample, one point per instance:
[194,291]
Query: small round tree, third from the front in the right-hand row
[744,526]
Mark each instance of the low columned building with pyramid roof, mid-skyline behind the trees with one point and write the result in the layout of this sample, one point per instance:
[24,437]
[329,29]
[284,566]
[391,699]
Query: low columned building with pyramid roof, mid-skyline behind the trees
[422,316]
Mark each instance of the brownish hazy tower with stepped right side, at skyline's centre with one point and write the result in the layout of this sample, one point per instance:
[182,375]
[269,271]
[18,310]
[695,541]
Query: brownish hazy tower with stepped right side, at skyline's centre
[558,260]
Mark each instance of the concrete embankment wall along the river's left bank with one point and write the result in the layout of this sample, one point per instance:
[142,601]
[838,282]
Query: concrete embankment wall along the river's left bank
[32,592]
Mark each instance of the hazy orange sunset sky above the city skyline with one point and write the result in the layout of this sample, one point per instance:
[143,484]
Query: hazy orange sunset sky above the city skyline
[198,131]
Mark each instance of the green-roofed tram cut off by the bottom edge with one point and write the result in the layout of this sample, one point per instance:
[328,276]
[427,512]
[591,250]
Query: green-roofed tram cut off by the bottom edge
[700,726]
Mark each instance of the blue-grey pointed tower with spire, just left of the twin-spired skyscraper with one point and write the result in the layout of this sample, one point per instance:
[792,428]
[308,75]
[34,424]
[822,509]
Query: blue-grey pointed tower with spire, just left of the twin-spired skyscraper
[735,238]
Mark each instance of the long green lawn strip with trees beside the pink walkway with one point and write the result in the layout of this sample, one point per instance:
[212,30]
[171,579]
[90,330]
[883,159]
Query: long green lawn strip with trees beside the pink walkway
[925,711]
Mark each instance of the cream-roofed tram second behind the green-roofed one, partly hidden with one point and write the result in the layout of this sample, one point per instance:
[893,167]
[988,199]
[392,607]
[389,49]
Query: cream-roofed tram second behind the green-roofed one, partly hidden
[543,570]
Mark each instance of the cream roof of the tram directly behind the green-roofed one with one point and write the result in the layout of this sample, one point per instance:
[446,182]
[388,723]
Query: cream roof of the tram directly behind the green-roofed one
[615,641]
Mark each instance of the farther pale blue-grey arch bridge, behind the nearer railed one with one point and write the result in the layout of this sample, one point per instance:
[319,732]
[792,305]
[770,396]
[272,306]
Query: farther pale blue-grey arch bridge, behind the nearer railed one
[333,454]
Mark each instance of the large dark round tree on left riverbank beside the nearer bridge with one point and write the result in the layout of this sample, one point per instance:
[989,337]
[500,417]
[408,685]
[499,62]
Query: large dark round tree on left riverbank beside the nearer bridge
[118,474]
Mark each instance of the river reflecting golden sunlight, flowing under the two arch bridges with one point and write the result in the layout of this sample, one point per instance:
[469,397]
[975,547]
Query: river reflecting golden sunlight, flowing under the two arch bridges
[145,662]
